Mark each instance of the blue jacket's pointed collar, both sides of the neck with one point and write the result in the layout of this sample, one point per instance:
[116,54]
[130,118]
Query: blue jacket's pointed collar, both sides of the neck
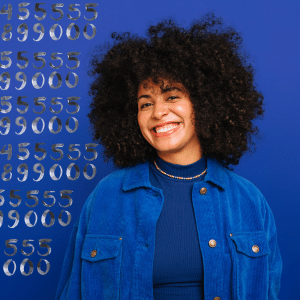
[138,175]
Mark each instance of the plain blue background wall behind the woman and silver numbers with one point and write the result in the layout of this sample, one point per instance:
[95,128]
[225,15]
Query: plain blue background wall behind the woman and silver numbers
[271,35]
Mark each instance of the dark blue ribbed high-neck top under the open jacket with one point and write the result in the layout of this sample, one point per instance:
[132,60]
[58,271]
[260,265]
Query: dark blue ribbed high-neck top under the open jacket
[177,266]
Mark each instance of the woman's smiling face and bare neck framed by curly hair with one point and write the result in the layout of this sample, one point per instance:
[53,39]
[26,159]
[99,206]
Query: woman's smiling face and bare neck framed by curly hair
[165,120]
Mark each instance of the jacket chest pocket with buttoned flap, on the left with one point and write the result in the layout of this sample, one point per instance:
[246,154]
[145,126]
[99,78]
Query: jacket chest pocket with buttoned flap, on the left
[101,265]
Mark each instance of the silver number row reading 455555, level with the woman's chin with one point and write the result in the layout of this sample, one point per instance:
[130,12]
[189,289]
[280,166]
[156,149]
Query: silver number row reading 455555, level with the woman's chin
[7,150]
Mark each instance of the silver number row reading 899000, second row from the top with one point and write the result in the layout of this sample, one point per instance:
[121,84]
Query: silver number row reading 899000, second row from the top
[7,32]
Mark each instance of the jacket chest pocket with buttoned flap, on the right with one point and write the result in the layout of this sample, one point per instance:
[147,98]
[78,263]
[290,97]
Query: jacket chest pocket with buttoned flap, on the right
[250,258]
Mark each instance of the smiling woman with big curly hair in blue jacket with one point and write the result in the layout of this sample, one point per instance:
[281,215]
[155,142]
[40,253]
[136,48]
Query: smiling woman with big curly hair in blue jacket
[174,222]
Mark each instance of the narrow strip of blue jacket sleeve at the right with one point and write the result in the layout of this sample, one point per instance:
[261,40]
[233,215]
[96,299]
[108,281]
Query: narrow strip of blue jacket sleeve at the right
[274,259]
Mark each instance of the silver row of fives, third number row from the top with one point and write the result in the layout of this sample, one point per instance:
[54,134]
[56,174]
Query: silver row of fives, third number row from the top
[38,57]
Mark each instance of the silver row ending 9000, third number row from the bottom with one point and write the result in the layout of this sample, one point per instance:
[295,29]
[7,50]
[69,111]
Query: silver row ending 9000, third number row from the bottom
[14,215]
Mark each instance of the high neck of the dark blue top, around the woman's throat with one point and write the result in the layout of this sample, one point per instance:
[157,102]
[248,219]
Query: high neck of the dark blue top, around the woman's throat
[190,170]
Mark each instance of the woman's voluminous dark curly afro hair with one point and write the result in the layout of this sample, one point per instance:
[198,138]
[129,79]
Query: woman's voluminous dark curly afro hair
[208,59]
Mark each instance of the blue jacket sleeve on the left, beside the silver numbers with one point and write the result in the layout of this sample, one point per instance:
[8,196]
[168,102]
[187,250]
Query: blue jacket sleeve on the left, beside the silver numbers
[69,286]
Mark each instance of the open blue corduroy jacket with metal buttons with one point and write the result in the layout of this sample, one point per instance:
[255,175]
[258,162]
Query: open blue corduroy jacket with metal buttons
[111,249]
